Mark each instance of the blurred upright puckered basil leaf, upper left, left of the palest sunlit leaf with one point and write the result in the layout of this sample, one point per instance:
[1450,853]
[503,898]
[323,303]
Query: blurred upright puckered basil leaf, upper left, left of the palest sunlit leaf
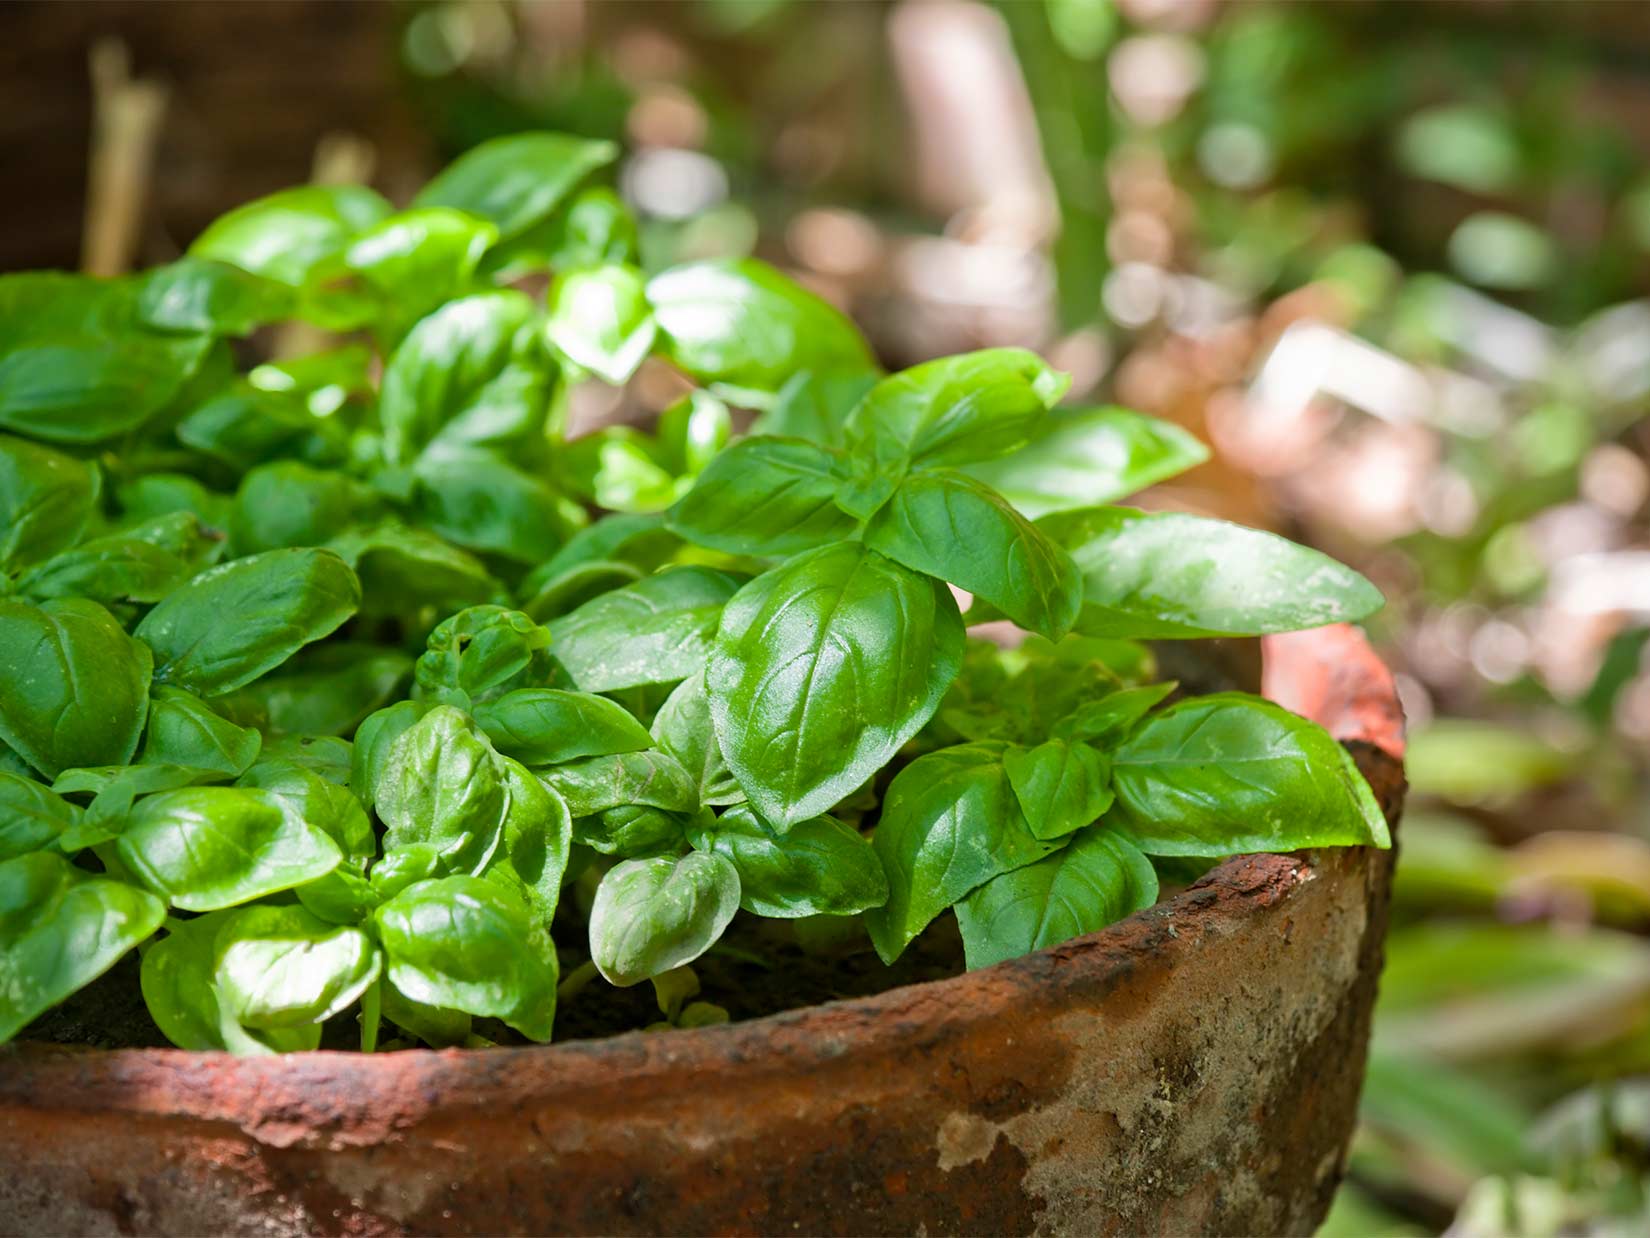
[473,374]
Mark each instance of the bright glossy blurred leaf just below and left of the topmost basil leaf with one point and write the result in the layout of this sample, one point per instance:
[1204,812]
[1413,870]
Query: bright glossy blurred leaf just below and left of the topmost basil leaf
[420,258]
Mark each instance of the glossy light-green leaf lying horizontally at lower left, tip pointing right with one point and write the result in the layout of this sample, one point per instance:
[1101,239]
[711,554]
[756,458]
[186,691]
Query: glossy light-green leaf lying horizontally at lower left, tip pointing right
[212,848]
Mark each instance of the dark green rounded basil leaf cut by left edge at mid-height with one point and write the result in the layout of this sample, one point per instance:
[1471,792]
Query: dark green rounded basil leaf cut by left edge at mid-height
[77,688]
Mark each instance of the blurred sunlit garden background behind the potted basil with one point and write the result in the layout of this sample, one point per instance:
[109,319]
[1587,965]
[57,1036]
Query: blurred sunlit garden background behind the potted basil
[1390,262]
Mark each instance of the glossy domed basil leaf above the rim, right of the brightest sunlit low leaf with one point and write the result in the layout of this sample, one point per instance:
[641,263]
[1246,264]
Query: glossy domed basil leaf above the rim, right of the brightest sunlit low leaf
[471,945]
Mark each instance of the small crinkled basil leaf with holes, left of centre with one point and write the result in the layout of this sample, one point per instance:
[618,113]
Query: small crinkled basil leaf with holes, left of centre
[481,654]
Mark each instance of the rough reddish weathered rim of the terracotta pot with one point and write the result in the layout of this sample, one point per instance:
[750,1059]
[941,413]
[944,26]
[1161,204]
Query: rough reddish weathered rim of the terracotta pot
[1327,674]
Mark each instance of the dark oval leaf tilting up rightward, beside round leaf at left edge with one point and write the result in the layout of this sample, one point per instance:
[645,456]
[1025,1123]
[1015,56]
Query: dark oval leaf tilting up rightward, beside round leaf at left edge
[242,620]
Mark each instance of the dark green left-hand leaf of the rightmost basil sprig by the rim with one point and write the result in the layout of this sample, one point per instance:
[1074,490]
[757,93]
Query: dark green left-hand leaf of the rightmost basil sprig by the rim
[951,823]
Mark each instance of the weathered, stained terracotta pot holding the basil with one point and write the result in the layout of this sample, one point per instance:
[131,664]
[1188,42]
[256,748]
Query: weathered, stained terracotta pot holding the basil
[1190,1070]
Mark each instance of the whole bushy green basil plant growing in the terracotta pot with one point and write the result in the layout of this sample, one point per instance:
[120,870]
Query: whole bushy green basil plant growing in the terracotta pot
[346,686]
